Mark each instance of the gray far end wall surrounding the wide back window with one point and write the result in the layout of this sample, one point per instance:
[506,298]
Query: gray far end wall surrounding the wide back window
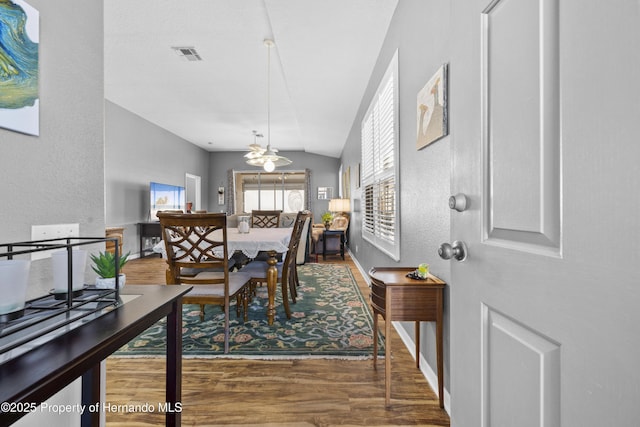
[324,173]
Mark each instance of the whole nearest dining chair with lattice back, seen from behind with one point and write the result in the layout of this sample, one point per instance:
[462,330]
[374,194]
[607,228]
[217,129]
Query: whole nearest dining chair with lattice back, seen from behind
[197,256]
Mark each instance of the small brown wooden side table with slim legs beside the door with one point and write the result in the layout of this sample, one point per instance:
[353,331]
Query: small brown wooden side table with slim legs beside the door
[397,297]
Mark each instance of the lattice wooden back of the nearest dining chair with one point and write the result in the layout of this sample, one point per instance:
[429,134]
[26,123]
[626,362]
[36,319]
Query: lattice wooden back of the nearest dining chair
[197,242]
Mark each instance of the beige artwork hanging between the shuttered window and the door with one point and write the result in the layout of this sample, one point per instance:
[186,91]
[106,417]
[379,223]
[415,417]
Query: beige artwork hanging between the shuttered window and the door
[432,123]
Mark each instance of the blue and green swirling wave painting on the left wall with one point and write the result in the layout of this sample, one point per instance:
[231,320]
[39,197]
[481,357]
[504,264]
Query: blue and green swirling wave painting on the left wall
[19,103]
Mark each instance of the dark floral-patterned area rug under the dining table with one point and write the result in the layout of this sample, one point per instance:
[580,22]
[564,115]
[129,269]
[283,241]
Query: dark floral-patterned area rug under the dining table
[331,319]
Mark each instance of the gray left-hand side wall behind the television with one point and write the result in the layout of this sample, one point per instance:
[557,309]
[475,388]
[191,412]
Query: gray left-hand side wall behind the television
[138,152]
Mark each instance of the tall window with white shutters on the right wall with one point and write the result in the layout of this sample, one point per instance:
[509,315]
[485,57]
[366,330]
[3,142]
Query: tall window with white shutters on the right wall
[379,134]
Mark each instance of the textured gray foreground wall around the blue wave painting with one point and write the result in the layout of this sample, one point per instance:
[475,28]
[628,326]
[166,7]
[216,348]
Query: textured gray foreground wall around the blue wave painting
[58,177]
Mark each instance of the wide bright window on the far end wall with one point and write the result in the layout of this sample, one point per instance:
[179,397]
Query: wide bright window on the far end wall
[285,191]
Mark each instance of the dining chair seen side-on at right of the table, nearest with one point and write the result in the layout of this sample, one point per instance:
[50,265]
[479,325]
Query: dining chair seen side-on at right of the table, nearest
[287,269]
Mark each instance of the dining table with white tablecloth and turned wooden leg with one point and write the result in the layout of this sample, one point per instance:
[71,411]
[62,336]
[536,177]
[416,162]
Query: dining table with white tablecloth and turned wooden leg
[269,240]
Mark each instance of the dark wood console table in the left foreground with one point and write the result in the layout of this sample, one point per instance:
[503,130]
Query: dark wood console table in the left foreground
[35,376]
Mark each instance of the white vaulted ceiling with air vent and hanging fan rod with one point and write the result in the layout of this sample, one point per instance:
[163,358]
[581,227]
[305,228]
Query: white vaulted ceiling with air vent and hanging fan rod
[323,58]
